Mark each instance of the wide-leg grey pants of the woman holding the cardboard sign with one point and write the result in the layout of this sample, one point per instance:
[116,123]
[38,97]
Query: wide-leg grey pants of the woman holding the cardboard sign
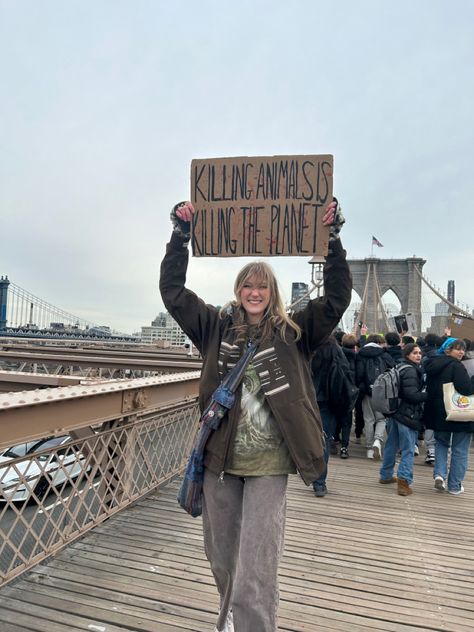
[244,525]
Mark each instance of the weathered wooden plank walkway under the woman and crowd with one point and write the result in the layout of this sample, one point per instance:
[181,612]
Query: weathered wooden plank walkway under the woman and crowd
[362,559]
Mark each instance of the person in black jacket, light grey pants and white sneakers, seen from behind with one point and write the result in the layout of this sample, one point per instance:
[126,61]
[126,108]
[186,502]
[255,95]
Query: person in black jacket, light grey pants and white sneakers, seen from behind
[372,360]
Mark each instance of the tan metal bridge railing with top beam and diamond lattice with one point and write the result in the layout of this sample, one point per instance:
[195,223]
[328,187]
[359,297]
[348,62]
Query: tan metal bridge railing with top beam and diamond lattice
[106,446]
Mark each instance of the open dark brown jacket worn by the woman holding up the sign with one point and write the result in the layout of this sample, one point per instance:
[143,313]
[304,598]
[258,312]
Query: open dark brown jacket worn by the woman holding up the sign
[283,367]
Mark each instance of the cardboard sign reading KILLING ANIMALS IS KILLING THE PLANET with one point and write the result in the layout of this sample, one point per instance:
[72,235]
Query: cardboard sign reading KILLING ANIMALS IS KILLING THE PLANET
[262,206]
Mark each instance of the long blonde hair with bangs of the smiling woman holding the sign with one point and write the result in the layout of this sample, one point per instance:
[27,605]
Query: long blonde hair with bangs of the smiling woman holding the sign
[275,316]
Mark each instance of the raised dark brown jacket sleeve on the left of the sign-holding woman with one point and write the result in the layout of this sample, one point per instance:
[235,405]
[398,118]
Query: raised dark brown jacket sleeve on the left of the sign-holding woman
[194,317]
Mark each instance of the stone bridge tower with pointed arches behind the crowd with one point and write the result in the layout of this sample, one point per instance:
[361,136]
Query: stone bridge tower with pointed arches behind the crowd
[373,277]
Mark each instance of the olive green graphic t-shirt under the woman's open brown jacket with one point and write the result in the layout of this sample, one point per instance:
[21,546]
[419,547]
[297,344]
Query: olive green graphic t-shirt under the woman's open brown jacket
[259,448]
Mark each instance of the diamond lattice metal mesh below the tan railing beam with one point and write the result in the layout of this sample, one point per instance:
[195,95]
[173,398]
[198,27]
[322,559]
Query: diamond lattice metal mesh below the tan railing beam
[55,489]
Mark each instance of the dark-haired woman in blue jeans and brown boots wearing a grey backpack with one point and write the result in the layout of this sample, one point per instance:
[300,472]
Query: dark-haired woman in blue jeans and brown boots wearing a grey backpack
[405,424]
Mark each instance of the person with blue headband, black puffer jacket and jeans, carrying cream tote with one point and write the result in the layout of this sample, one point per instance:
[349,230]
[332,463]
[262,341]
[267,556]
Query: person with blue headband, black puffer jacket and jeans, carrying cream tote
[441,369]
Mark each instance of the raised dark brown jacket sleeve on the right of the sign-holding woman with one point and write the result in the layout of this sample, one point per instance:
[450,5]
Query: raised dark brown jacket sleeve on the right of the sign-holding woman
[321,315]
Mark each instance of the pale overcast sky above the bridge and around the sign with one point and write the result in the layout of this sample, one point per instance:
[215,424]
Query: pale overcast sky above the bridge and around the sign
[104,103]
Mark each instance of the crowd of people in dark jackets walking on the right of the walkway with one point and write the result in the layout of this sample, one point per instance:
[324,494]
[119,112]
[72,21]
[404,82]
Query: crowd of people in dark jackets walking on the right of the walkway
[424,365]
